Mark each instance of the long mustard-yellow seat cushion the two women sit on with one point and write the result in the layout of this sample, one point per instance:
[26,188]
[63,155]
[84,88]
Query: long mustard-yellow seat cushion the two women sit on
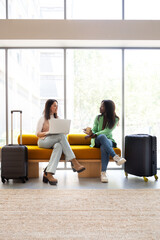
[81,152]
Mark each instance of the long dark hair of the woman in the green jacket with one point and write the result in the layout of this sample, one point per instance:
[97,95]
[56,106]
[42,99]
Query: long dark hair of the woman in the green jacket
[109,114]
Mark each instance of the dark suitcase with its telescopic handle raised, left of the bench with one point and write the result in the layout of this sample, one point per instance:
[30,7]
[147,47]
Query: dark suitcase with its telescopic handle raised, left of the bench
[14,162]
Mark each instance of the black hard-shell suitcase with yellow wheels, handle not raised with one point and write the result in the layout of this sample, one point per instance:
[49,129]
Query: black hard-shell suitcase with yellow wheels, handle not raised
[141,155]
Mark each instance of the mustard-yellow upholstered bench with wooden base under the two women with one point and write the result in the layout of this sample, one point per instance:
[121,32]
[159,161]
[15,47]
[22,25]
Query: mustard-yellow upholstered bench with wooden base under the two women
[89,157]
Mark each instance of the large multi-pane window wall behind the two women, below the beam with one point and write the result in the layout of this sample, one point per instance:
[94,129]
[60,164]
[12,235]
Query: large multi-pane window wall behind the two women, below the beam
[92,75]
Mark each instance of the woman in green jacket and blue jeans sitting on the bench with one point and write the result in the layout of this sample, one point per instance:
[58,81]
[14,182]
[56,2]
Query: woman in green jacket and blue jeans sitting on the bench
[101,135]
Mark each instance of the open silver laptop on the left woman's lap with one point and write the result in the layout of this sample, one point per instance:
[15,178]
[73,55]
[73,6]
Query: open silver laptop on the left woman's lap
[57,126]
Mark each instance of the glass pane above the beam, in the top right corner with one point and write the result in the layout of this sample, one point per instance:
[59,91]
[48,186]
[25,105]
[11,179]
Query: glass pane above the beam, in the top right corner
[142,9]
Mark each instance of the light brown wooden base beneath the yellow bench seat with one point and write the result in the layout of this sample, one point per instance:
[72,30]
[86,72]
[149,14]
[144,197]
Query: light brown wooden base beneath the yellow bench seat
[93,168]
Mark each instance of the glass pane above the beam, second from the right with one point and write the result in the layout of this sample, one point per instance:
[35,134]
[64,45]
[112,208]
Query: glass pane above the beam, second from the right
[94,9]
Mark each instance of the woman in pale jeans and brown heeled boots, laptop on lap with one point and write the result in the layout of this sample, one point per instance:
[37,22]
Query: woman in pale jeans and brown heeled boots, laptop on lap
[56,141]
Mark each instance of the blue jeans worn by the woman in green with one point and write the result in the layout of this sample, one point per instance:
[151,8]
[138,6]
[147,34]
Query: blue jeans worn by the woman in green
[105,145]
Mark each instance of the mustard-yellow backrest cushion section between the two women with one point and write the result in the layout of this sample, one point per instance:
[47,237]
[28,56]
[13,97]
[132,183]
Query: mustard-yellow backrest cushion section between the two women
[78,139]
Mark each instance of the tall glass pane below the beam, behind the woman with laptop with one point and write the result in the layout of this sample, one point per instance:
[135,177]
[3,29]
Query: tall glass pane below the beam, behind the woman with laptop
[29,86]
